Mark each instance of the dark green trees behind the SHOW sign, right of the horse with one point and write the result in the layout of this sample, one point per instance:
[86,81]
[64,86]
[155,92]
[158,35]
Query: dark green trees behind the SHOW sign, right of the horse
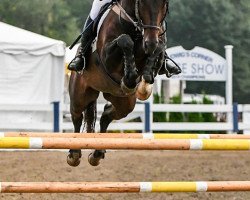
[213,24]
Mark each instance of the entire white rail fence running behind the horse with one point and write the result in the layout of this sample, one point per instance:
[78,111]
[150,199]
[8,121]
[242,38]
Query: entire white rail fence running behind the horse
[46,122]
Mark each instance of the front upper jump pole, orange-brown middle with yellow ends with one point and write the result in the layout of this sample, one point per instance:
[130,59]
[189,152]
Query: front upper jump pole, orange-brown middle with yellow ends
[120,143]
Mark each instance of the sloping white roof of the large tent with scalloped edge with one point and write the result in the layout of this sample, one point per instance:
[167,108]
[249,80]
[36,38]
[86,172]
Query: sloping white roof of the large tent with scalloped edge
[15,40]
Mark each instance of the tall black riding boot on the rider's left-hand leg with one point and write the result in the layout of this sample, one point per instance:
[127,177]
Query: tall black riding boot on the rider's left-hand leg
[79,62]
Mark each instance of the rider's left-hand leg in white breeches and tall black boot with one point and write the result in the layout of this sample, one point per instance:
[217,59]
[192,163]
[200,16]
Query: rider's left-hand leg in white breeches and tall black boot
[78,63]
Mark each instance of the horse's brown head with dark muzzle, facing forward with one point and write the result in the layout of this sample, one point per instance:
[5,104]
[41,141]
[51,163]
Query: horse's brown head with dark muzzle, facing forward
[150,15]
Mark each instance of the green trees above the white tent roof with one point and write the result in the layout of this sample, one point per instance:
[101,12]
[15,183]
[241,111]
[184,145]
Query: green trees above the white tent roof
[49,18]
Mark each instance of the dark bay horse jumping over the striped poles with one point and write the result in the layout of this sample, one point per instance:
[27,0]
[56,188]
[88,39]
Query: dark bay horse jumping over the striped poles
[130,53]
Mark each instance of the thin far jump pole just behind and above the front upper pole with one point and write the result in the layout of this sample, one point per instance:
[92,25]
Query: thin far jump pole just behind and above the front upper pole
[124,135]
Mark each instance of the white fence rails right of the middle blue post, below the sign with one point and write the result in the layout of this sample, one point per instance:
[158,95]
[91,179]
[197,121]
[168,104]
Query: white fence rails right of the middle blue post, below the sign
[204,126]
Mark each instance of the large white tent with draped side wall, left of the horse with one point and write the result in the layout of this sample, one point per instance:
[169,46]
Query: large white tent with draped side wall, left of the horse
[31,67]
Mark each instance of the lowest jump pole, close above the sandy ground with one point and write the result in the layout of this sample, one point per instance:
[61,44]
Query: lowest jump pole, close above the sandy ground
[122,187]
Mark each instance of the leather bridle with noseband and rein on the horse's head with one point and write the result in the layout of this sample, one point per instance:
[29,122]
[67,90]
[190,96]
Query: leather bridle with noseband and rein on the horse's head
[139,25]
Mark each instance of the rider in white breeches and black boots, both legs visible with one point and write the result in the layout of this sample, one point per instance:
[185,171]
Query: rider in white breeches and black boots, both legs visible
[88,35]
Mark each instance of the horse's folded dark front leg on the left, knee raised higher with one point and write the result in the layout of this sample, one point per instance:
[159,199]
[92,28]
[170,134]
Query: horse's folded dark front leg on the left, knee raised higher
[126,45]
